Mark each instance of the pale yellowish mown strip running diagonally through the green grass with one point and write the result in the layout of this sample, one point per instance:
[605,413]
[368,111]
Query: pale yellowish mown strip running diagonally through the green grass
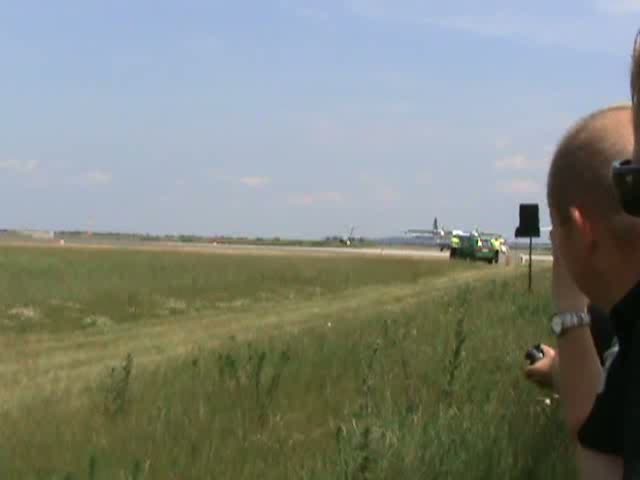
[31,364]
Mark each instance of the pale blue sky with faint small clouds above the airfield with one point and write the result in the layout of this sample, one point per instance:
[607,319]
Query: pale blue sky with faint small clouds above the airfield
[295,117]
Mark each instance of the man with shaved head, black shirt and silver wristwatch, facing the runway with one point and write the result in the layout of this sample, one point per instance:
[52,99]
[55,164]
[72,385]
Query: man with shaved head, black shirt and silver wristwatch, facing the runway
[595,257]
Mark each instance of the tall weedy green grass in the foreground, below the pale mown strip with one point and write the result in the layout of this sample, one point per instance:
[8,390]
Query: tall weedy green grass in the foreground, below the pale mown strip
[427,390]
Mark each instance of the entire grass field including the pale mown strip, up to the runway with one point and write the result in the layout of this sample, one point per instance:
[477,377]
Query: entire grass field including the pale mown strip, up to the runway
[244,367]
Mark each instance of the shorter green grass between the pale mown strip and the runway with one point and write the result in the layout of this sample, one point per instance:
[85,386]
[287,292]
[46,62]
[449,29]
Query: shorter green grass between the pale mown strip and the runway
[51,290]
